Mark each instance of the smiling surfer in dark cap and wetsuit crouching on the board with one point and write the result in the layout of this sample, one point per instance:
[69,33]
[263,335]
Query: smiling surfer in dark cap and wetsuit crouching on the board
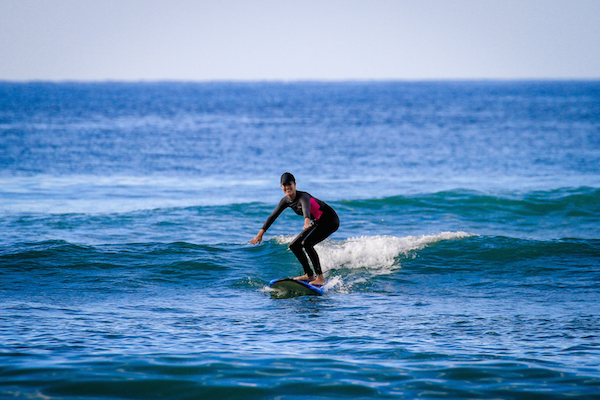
[320,221]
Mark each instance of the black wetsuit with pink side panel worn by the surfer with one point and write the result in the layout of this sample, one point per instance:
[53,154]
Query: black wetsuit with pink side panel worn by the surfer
[325,222]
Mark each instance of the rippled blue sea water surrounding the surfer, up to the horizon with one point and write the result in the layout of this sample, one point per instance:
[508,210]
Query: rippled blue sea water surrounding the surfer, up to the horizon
[467,264]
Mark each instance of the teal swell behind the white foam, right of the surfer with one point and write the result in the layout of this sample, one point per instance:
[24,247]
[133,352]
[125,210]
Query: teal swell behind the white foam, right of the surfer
[558,213]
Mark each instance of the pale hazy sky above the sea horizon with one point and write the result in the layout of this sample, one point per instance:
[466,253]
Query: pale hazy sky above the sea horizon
[298,39]
